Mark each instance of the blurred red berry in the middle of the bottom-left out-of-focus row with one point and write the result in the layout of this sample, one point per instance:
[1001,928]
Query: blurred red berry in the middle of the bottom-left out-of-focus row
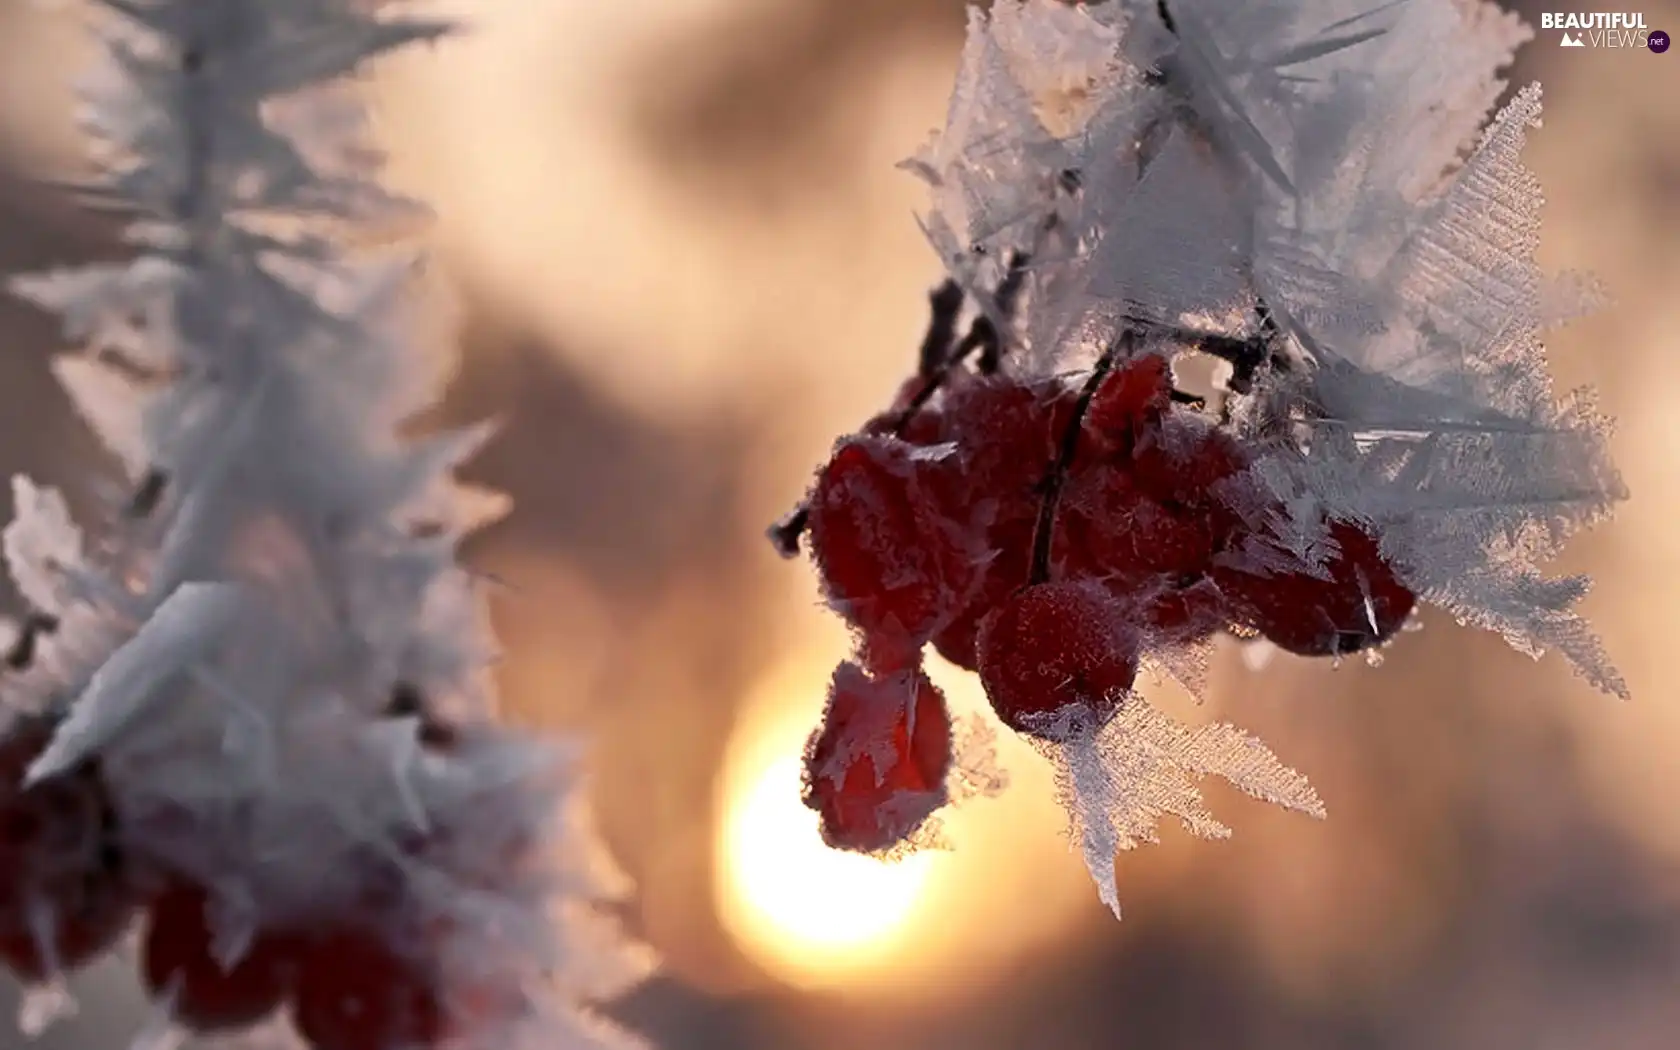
[181,957]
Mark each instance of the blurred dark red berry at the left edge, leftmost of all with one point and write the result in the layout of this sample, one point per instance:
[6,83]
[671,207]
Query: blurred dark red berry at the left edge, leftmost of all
[66,888]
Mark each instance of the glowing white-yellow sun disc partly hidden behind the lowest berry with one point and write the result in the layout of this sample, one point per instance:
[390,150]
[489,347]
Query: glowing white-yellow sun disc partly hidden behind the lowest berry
[804,911]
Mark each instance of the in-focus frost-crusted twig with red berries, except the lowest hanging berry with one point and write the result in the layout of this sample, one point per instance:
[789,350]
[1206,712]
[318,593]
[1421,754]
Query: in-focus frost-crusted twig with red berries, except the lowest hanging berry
[1315,197]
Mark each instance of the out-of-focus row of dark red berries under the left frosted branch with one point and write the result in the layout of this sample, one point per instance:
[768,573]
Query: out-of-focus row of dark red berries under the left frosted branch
[362,977]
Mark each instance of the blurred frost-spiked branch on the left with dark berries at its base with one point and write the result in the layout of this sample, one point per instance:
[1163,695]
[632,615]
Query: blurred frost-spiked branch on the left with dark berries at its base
[251,710]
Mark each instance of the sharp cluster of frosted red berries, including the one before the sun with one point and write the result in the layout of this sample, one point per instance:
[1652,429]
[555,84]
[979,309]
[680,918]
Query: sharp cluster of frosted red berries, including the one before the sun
[1046,535]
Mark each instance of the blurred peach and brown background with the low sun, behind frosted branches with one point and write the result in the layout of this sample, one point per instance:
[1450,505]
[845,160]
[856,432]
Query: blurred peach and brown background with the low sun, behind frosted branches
[685,265]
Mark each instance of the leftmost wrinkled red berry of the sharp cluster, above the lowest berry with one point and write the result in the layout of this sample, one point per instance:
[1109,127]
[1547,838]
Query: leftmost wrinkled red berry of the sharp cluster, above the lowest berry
[890,557]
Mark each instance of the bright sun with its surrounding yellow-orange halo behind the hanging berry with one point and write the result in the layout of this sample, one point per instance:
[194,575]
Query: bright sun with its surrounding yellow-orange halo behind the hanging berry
[933,923]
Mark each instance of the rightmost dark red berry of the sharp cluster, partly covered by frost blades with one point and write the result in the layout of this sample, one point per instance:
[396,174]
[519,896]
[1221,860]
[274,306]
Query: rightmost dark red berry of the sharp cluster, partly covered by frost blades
[1362,604]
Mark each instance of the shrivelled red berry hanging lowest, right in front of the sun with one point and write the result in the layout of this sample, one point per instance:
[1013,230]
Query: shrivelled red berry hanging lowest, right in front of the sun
[876,769]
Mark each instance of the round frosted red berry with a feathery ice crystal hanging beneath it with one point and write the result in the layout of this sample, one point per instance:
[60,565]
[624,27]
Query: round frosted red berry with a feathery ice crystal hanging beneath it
[1059,658]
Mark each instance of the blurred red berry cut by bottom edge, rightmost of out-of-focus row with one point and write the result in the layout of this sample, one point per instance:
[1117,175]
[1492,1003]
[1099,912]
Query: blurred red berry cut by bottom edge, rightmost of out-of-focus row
[357,992]
